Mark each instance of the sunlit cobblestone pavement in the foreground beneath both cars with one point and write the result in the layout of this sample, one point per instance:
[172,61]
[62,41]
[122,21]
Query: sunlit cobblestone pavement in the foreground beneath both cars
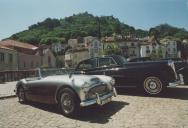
[129,110]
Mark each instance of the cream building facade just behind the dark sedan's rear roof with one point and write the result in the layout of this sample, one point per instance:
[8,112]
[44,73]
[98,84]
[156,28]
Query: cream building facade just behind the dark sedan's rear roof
[73,57]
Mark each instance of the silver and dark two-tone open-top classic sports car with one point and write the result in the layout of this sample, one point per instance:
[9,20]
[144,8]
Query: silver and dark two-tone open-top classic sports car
[70,92]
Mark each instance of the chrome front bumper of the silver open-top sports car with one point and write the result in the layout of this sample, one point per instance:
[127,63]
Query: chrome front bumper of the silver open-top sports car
[100,100]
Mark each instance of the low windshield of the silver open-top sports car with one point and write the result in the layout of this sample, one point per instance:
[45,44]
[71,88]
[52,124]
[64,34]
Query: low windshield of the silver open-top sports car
[52,72]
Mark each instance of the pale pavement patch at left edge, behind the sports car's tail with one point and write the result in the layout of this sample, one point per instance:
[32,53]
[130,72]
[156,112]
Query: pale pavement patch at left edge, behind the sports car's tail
[7,89]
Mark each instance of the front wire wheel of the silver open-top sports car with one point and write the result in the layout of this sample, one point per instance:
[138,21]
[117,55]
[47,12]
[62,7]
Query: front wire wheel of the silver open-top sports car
[69,103]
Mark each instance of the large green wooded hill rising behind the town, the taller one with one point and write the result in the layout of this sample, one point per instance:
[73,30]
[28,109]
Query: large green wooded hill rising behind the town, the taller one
[80,25]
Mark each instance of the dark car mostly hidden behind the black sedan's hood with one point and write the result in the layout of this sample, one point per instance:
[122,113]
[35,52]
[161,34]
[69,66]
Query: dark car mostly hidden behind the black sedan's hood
[181,66]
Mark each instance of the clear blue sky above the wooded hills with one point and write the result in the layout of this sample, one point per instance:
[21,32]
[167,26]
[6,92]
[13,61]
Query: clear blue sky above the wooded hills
[18,15]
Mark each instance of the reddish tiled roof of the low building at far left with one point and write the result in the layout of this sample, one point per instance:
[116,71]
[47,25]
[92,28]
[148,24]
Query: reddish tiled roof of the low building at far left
[13,43]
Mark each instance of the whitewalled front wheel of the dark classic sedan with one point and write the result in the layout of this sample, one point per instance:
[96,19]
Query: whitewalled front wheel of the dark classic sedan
[153,85]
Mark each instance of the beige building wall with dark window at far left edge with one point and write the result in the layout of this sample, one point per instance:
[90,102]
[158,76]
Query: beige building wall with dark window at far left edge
[8,59]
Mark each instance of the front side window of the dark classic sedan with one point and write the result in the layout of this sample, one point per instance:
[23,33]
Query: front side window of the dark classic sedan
[104,62]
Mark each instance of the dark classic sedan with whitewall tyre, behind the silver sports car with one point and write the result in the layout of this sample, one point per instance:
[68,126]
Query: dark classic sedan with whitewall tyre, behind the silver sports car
[153,77]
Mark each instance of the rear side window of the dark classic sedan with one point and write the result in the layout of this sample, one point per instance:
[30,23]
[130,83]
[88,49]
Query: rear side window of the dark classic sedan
[88,64]
